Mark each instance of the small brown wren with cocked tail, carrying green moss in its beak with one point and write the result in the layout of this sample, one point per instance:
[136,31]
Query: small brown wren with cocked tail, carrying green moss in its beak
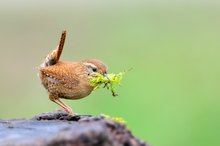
[68,80]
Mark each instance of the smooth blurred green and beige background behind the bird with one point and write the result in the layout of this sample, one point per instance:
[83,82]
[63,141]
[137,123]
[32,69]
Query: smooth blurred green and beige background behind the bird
[170,98]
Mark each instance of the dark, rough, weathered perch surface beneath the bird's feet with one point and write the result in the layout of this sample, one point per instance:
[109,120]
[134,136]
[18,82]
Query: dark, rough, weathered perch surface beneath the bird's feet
[61,129]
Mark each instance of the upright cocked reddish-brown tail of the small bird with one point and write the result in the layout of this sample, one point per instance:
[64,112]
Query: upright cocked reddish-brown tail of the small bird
[54,56]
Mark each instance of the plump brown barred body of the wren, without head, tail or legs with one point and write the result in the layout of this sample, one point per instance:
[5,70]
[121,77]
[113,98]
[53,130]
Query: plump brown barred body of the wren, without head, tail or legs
[67,79]
